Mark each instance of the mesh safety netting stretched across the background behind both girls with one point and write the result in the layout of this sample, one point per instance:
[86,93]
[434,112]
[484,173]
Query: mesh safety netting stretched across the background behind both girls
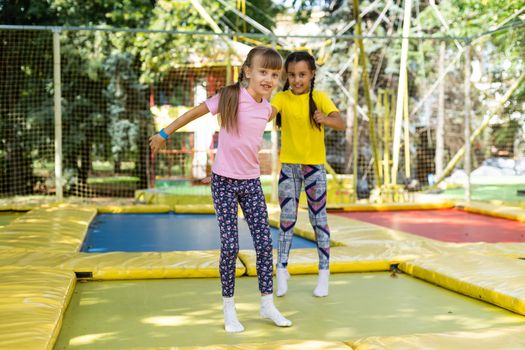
[117,90]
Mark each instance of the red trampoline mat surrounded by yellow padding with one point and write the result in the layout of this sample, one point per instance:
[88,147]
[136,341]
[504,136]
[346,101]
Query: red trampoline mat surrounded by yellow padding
[449,225]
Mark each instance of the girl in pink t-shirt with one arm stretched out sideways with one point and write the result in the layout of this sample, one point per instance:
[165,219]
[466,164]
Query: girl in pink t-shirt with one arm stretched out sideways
[244,113]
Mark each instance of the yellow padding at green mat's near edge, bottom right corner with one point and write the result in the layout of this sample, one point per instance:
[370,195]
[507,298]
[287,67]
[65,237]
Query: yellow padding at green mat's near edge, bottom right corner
[486,339]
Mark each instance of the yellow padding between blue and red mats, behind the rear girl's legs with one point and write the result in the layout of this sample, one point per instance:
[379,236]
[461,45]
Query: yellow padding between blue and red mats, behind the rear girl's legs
[345,231]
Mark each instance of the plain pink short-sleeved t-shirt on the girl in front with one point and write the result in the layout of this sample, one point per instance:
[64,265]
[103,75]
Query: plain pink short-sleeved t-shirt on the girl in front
[238,155]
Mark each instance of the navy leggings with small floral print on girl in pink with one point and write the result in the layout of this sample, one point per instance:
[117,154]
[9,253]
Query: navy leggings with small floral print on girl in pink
[227,194]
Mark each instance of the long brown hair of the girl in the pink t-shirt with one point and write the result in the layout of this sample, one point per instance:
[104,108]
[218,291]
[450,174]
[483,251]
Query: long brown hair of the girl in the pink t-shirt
[229,99]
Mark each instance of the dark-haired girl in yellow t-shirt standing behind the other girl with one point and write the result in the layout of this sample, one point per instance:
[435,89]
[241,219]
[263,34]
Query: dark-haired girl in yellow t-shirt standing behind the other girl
[303,113]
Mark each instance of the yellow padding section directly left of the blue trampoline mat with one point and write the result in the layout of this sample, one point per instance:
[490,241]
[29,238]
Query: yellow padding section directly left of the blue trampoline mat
[57,228]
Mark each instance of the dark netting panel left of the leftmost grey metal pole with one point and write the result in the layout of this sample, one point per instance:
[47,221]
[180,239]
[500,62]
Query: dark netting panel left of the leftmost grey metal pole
[26,113]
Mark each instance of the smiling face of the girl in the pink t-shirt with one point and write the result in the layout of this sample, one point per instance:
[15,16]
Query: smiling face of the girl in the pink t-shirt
[261,80]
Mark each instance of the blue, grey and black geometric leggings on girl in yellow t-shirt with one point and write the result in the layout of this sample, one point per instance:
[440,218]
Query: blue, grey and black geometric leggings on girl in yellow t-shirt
[290,183]
